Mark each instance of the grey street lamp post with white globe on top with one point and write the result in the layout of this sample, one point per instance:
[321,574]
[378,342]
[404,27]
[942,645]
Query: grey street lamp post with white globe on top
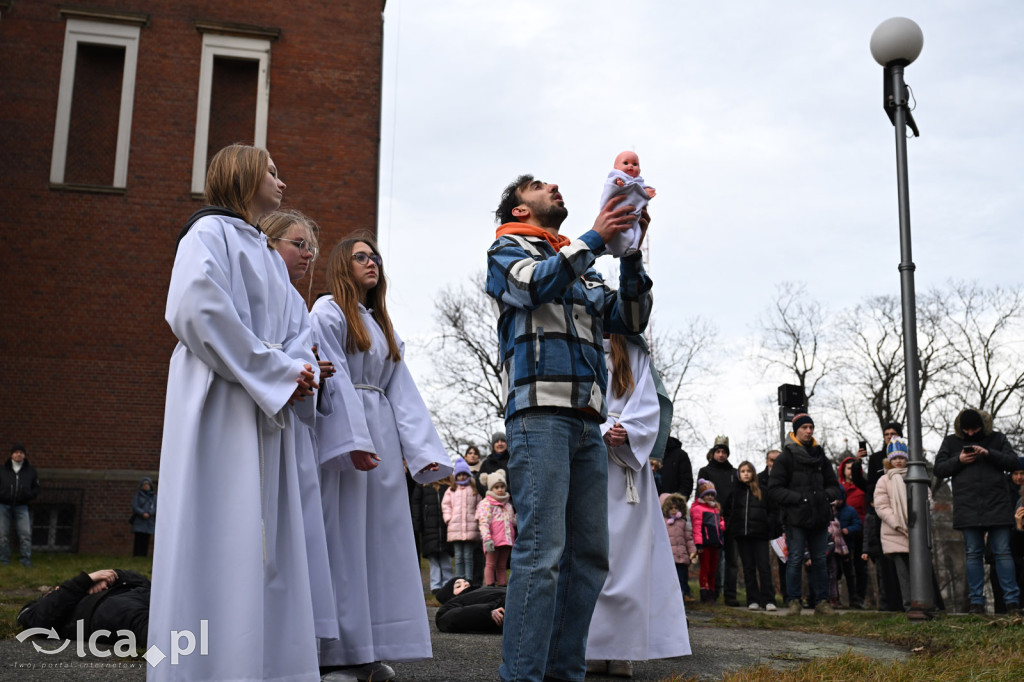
[895,45]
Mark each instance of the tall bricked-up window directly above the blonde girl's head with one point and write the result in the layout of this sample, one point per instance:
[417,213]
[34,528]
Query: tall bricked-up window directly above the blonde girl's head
[234,96]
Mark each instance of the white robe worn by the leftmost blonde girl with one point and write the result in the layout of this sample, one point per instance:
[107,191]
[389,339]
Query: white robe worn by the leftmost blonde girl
[230,546]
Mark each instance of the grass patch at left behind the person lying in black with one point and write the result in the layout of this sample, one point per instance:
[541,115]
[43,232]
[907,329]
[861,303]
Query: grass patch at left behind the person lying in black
[20,585]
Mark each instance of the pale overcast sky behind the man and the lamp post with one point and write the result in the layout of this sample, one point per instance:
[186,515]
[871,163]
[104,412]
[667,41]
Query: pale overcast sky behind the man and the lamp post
[760,123]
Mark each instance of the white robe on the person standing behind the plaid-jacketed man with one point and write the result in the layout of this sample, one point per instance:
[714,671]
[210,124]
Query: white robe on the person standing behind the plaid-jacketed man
[641,614]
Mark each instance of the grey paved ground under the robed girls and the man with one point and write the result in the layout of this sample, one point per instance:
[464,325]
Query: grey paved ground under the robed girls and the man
[476,658]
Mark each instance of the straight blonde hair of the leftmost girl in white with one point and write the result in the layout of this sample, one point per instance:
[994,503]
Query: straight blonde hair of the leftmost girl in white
[234,179]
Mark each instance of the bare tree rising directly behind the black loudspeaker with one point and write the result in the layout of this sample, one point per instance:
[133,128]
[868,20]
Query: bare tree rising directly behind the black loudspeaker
[796,336]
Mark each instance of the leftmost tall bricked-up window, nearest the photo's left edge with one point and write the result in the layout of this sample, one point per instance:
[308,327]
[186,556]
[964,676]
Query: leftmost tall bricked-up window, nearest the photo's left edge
[95,105]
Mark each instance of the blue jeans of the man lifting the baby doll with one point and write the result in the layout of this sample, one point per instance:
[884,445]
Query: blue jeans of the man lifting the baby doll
[559,473]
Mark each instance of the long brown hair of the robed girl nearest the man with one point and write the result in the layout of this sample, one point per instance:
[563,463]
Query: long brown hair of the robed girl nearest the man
[347,294]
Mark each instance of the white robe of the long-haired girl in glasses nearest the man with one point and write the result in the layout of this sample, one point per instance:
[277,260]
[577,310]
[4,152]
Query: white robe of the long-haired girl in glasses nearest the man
[377,582]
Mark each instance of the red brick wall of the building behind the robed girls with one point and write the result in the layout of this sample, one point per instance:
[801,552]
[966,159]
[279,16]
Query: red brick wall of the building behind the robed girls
[83,346]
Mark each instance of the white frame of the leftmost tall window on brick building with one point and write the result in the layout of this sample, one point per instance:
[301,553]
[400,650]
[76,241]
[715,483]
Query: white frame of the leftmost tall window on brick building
[96,33]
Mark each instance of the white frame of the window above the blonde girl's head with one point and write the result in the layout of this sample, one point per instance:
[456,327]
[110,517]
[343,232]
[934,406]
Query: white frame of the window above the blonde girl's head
[216,46]
